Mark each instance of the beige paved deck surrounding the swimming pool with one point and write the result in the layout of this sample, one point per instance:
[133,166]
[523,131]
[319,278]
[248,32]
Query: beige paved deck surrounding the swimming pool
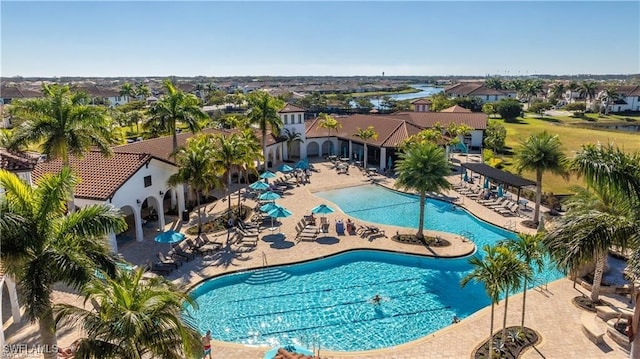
[549,311]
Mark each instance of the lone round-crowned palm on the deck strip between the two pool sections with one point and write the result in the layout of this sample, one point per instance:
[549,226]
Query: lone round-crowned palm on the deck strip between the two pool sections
[422,166]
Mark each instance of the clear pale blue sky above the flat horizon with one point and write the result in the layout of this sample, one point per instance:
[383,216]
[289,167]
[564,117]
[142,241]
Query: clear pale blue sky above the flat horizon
[211,38]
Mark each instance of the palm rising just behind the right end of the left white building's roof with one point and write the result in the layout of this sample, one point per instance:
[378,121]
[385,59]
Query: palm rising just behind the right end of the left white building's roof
[176,106]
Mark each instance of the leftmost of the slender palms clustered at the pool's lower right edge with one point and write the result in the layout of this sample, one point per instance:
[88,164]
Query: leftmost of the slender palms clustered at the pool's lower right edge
[487,271]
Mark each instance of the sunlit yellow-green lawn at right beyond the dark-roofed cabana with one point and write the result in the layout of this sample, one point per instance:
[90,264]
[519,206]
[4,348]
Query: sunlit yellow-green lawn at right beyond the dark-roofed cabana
[572,138]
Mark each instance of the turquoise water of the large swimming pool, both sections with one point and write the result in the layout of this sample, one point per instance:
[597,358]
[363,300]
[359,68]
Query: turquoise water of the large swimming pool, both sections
[326,303]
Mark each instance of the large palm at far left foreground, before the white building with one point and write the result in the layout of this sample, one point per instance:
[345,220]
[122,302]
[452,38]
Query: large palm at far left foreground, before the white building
[59,248]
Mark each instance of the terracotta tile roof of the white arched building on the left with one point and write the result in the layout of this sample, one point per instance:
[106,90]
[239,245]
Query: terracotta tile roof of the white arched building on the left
[101,176]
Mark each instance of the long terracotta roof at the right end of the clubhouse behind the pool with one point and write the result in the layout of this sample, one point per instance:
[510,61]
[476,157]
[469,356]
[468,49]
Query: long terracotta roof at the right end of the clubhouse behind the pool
[475,120]
